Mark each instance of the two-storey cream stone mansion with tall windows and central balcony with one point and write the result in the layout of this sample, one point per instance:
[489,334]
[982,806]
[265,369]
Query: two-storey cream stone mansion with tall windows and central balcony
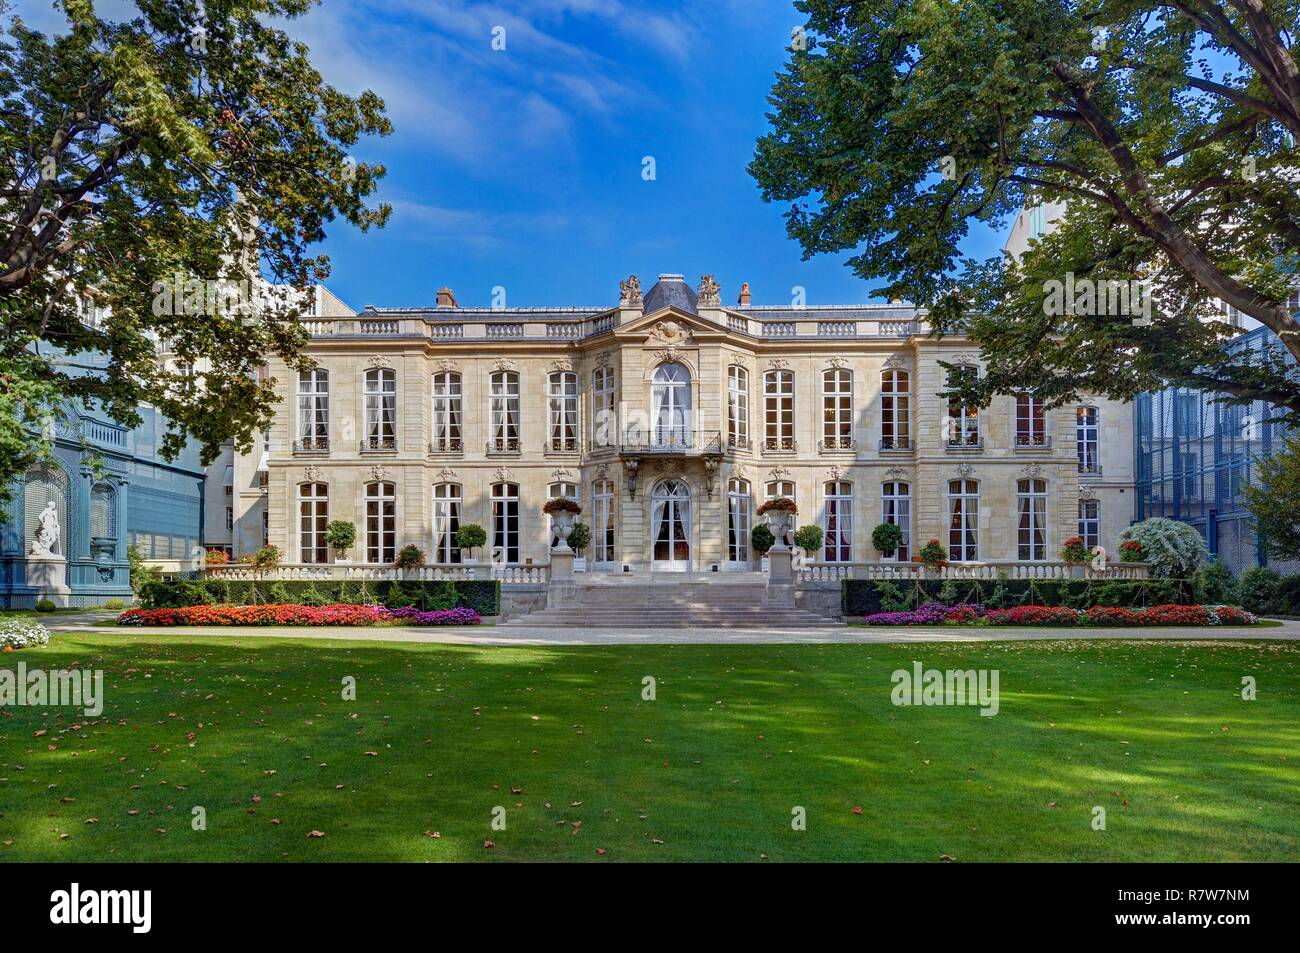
[670,418]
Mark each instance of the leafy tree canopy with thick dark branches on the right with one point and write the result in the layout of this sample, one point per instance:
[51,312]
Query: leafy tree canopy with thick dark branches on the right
[1168,128]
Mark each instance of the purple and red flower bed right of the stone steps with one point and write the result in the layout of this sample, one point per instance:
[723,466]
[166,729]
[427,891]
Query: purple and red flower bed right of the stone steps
[939,614]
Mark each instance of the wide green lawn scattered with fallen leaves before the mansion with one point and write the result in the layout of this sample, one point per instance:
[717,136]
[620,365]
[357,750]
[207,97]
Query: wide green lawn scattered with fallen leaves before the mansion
[1156,734]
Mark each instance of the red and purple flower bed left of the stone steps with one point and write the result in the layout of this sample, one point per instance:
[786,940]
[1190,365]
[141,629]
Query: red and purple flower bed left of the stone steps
[288,614]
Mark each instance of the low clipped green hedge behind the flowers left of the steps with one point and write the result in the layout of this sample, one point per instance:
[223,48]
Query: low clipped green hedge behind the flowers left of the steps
[482,596]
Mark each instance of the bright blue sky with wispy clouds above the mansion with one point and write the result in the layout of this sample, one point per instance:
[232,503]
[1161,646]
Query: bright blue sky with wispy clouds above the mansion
[522,168]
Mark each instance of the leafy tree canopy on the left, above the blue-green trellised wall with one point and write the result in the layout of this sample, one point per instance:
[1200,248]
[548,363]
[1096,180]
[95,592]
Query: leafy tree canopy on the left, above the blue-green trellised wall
[183,148]
